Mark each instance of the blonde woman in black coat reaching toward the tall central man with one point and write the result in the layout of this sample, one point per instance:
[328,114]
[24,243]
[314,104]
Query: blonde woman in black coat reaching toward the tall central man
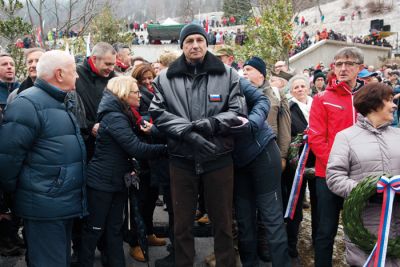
[117,143]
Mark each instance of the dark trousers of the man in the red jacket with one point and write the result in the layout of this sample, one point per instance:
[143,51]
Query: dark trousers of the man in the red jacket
[328,210]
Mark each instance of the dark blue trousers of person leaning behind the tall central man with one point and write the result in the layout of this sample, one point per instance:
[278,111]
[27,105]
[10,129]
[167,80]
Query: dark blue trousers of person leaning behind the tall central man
[258,189]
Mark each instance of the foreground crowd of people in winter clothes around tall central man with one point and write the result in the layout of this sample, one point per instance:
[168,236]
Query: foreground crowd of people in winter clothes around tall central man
[86,150]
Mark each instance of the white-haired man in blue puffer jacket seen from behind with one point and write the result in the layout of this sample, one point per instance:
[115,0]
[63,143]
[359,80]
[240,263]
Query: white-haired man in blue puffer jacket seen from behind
[42,160]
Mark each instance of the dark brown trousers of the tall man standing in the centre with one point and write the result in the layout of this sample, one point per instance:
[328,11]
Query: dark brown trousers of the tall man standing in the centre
[218,194]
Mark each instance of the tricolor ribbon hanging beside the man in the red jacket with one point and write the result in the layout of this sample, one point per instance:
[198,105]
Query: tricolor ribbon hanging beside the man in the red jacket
[297,181]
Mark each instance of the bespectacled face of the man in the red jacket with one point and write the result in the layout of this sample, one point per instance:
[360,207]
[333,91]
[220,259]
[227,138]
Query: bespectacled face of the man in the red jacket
[347,69]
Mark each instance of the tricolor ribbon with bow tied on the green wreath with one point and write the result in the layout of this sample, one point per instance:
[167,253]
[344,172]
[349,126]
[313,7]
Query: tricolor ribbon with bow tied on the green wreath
[389,187]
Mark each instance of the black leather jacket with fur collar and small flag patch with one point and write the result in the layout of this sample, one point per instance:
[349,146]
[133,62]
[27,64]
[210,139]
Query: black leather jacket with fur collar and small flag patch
[185,94]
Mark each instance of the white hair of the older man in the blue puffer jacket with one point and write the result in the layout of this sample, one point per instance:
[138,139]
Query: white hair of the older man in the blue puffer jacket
[52,60]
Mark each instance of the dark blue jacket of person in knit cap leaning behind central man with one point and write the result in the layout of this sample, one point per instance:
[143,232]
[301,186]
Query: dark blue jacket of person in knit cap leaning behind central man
[249,145]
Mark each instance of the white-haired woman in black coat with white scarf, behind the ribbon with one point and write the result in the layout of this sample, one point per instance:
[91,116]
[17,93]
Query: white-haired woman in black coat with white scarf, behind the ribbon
[300,105]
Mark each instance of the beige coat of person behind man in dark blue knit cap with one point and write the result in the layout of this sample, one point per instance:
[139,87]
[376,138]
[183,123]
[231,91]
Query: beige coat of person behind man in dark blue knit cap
[279,118]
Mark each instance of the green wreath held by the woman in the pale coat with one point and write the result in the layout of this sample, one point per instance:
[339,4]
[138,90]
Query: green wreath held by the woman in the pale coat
[352,218]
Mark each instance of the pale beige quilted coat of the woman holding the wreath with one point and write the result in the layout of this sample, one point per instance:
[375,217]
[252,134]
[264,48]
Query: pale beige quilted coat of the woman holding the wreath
[360,151]
